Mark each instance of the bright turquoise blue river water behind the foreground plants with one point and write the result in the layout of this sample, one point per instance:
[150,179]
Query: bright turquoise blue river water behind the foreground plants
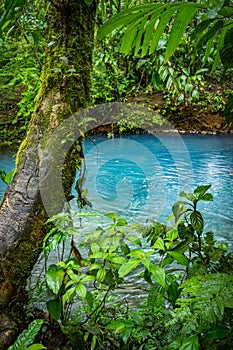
[140,176]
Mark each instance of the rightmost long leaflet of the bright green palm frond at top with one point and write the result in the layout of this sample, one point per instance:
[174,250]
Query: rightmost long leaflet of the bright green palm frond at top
[181,22]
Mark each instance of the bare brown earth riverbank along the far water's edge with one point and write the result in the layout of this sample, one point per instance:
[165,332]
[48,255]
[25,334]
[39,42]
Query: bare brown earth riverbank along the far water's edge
[196,118]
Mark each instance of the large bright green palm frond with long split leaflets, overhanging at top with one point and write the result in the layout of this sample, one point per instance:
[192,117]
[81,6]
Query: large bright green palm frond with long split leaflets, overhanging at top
[146,23]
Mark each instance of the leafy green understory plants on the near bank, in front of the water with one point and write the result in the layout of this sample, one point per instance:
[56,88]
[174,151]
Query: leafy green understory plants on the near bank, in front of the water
[179,276]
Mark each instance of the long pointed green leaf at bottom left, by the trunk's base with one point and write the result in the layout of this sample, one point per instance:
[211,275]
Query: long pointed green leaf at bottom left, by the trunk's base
[26,338]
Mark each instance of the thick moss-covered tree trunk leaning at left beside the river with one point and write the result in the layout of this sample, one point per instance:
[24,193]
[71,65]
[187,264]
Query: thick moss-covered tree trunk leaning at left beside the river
[65,89]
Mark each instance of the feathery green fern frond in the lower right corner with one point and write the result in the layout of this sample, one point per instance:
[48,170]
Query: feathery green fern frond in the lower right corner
[204,299]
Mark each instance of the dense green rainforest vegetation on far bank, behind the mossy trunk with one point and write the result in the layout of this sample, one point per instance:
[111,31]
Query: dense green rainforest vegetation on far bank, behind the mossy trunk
[180,88]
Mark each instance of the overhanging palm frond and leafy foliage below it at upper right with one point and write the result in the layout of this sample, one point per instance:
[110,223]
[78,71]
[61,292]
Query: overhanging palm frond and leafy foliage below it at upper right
[145,27]
